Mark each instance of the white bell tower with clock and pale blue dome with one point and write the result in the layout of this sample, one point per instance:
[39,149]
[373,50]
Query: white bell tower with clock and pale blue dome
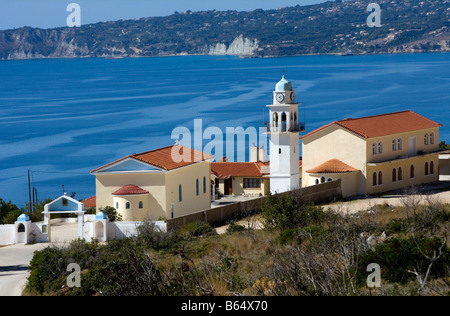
[284,139]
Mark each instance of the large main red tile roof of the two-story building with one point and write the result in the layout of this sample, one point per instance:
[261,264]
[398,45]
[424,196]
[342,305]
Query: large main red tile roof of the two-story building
[384,124]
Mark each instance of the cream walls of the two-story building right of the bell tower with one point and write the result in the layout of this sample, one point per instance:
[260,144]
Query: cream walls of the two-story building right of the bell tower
[335,142]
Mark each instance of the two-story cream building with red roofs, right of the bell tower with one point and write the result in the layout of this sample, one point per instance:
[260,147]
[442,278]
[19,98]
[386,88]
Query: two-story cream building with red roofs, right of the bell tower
[373,154]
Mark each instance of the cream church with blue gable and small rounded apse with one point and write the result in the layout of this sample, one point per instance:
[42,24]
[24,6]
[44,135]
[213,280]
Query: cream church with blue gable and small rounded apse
[152,185]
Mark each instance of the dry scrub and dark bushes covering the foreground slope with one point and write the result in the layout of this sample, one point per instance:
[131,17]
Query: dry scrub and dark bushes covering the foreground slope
[303,250]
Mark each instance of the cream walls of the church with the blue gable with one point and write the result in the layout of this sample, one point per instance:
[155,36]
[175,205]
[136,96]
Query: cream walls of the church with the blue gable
[163,191]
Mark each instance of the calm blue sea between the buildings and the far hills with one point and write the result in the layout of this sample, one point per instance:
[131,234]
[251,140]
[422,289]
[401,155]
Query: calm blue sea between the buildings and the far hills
[62,118]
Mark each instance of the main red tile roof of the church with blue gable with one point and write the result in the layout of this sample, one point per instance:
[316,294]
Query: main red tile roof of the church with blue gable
[166,158]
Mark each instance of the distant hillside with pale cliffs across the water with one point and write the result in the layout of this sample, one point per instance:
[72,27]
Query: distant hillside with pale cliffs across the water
[333,27]
